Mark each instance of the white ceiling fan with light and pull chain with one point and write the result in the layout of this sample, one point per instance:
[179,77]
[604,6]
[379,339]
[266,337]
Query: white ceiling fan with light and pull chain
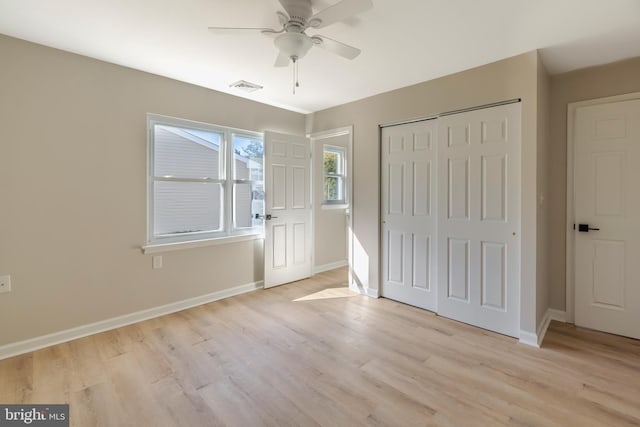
[291,39]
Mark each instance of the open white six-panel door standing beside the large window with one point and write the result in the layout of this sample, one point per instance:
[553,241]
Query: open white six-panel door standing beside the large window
[287,244]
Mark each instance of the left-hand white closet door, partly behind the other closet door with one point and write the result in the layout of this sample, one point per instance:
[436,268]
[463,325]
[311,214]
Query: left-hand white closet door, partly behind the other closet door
[408,214]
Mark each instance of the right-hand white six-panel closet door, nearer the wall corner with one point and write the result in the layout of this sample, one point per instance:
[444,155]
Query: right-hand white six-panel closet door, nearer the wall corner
[479,218]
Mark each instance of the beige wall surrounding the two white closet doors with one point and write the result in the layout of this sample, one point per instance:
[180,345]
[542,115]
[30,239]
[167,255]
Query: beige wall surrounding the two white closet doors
[511,78]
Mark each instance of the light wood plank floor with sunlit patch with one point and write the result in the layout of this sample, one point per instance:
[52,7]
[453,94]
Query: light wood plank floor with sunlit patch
[310,353]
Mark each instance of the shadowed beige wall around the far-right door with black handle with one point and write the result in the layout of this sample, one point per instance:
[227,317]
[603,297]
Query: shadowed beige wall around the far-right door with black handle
[591,83]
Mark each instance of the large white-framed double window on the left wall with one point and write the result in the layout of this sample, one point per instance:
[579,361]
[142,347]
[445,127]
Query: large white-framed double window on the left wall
[205,181]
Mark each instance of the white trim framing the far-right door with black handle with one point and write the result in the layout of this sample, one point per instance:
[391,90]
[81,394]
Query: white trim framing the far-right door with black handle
[571,111]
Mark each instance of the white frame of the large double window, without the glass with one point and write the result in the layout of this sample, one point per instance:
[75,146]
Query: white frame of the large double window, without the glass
[226,178]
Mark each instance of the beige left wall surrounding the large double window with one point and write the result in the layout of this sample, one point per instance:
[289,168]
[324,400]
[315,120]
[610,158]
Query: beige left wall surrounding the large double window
[73,190]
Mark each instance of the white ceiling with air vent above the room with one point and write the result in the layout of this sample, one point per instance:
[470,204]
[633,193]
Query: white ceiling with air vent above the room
[403,42]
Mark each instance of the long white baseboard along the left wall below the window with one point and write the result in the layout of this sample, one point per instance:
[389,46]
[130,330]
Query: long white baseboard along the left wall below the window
[21,347]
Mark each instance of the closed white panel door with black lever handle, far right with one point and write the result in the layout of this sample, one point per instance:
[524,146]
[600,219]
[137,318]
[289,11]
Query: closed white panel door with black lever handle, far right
[607,197]
